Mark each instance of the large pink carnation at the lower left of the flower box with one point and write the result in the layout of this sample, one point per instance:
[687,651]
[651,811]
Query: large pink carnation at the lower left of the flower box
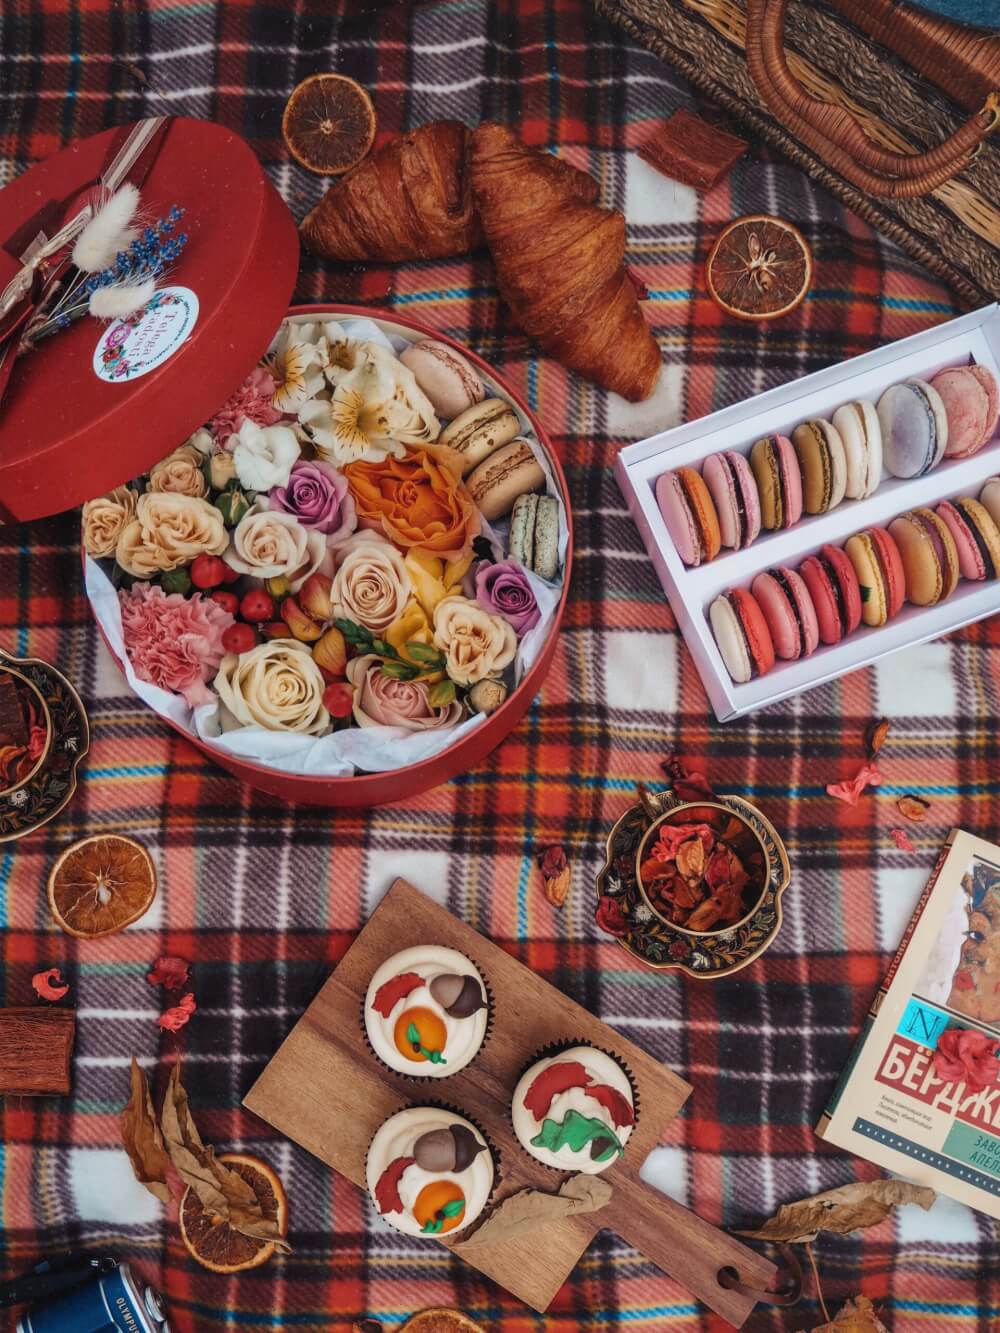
[174,642]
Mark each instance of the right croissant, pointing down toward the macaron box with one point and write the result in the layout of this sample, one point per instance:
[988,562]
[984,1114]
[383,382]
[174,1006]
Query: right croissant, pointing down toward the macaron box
[559,263]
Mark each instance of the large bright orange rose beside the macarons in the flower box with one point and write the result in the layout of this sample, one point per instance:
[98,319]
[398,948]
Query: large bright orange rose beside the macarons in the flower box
[418,502]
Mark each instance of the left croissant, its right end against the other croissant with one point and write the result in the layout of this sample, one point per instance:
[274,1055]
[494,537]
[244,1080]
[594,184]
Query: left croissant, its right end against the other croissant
[410,199]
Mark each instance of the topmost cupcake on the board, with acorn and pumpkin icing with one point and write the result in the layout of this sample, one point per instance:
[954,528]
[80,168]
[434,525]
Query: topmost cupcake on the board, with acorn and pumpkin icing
[427,1012]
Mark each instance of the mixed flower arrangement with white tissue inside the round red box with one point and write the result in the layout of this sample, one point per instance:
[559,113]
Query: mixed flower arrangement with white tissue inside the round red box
[307,582]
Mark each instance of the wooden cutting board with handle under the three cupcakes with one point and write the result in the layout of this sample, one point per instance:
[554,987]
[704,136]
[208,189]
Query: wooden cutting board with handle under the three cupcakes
[327,1092]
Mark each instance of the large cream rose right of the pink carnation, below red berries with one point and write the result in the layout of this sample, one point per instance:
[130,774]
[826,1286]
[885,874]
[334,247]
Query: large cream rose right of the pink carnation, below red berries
[275,686]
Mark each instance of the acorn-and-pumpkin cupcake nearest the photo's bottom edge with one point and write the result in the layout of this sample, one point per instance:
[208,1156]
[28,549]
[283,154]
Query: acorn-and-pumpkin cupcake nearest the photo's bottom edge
[430,1171]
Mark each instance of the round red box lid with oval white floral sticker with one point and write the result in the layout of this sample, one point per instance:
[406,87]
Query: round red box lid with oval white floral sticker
[74,423]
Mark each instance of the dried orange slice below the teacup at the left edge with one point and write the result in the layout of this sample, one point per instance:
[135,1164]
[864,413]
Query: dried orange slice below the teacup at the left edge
[101,886]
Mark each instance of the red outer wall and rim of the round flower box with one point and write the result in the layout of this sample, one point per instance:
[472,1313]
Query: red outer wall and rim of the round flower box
[401,784]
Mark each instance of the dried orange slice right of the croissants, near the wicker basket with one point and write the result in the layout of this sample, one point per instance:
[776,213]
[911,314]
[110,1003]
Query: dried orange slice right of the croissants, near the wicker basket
[759,269]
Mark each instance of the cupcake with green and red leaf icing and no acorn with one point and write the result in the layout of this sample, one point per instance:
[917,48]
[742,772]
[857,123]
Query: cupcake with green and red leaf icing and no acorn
[575,1111]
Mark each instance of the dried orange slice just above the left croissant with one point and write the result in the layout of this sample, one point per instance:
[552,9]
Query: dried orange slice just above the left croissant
[329,125]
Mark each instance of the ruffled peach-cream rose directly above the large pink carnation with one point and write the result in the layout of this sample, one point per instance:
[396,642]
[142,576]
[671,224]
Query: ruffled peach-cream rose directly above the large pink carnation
[170,531]
